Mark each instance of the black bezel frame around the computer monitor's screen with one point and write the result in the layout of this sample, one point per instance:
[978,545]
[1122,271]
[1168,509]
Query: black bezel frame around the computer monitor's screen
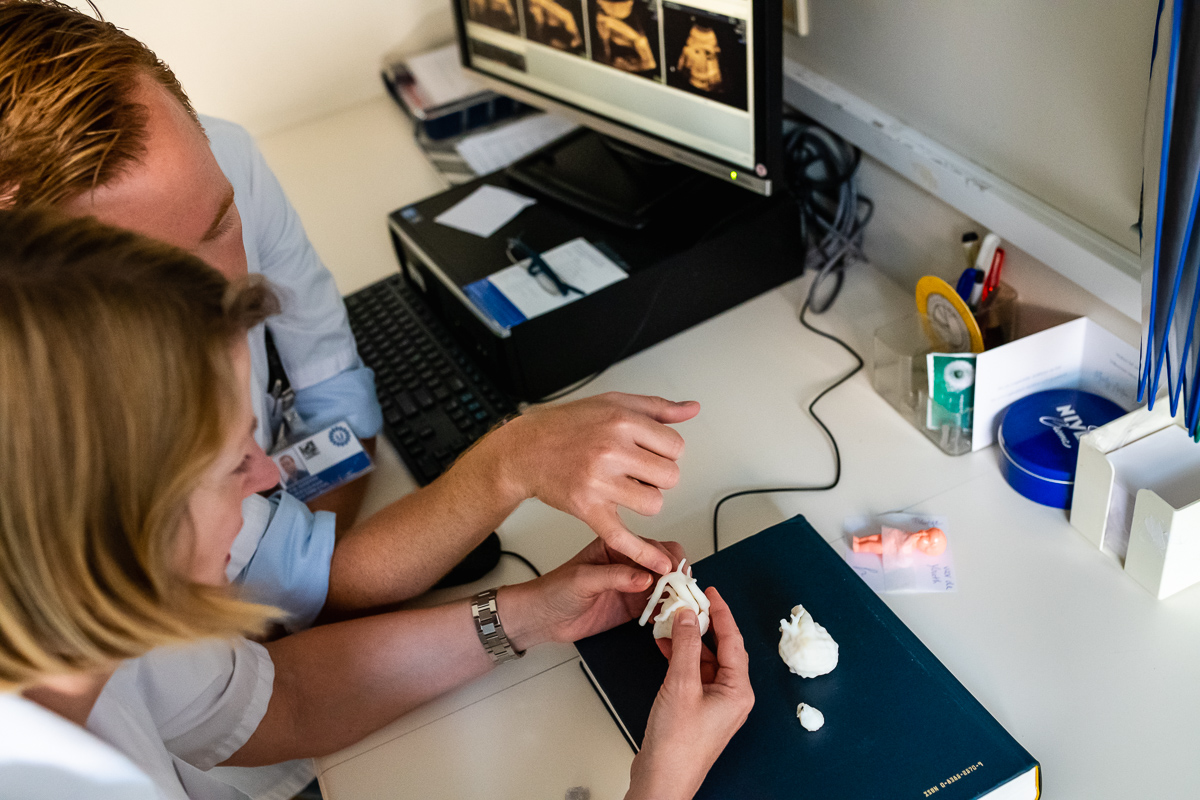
[767,21]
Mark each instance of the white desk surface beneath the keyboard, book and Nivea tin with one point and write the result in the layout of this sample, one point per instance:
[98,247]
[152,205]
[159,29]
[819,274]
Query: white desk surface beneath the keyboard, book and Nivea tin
[1094,677]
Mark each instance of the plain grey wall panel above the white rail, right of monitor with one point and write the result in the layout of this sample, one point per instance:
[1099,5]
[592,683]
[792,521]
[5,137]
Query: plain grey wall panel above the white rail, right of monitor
[1048,95]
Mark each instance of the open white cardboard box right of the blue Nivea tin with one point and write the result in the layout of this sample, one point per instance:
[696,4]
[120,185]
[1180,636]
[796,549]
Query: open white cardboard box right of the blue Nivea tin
[1138,498]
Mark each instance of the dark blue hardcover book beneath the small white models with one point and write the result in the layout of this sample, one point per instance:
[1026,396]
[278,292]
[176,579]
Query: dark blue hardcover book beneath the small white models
[898,724]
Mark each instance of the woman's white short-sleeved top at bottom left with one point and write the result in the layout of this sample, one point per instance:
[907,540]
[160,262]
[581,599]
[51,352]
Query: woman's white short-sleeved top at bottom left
[173,715]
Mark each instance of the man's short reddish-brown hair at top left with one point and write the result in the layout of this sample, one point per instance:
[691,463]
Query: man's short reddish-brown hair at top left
[68,119]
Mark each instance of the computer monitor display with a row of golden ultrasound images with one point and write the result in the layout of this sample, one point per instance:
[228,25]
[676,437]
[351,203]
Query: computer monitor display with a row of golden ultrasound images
[698,82]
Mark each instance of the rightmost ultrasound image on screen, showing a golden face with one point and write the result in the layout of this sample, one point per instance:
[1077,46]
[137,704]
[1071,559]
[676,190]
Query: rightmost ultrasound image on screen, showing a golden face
[706,55]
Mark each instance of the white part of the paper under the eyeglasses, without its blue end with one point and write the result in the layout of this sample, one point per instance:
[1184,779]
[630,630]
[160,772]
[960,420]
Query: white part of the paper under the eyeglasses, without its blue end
[578,263]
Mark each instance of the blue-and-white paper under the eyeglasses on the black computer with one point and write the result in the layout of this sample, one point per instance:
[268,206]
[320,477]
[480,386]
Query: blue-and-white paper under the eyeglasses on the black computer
[514,296]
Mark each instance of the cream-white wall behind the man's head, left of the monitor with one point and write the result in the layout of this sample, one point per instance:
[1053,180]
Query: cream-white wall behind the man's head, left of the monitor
[272,64]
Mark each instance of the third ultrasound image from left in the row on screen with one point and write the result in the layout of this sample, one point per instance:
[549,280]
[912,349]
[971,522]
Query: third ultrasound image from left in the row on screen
[626,37]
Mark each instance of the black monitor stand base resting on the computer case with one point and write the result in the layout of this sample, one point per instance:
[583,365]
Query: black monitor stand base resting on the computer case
[608,179]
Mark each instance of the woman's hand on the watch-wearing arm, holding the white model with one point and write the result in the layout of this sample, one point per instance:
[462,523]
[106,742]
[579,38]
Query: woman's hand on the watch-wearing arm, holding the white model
[595,592]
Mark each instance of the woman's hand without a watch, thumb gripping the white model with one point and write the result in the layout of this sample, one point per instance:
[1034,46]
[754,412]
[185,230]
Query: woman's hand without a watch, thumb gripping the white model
[701,706]
